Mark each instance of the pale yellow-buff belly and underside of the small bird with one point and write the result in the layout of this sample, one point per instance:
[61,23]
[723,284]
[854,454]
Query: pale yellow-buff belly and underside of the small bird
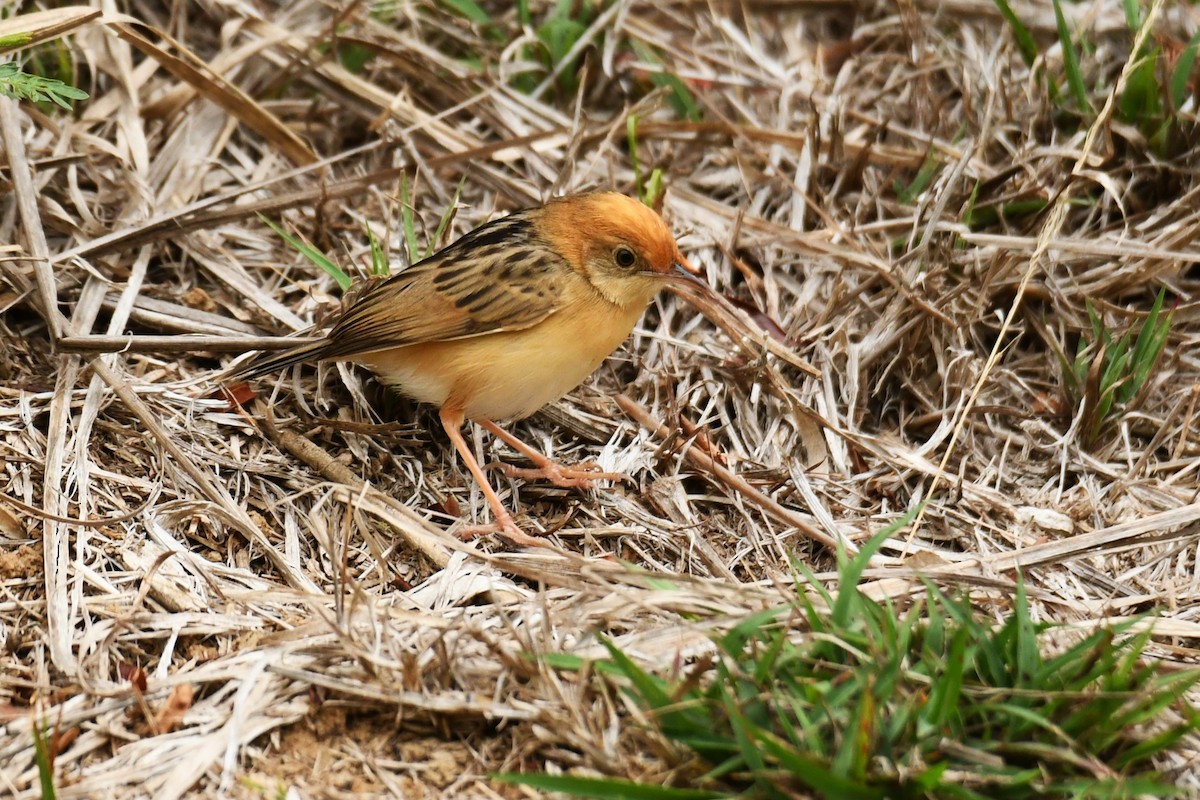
[508,375]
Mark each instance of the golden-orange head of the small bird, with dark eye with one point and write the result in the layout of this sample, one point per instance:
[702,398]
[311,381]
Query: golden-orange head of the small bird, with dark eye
[619,244]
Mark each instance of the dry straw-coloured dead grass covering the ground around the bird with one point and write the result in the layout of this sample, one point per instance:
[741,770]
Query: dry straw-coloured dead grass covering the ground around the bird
[218,600]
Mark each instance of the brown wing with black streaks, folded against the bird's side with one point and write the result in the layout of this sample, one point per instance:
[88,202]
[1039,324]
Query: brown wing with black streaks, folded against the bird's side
[499,278]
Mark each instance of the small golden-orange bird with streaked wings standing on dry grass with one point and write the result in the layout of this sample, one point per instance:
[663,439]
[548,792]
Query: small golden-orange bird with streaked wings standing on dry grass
[506,321]
